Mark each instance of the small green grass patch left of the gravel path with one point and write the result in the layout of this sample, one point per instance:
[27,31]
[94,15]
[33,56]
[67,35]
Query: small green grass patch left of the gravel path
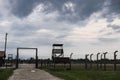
[5,73]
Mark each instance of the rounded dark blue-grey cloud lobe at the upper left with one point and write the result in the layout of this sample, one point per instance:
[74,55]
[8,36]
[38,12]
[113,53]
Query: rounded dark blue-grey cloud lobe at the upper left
[22,8]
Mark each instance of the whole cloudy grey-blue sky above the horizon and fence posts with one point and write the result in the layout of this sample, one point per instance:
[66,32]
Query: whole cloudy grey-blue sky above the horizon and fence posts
[83,26]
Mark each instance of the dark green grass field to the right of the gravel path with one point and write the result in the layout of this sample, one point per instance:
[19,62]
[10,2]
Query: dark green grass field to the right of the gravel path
[78,73]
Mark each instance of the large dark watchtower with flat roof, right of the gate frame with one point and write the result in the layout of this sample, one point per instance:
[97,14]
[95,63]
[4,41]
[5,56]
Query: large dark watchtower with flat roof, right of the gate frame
[58,55]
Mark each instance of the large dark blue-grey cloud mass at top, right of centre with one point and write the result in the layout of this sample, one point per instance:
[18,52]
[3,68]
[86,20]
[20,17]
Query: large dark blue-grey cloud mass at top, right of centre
[82,9]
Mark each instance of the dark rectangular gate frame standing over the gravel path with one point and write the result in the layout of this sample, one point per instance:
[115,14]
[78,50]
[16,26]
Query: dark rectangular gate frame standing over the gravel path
[17,57]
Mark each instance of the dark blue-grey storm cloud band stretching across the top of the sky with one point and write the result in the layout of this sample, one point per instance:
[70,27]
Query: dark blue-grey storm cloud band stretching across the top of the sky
[82,8]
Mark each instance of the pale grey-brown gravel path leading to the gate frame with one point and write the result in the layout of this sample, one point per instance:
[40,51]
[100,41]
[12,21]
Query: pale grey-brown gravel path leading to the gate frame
[28,72]
